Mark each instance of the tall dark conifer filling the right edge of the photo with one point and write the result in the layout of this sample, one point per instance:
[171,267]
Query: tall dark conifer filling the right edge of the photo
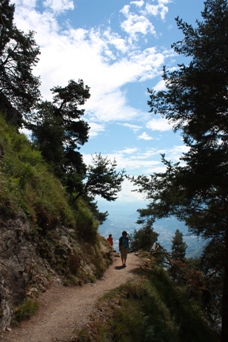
[195,101]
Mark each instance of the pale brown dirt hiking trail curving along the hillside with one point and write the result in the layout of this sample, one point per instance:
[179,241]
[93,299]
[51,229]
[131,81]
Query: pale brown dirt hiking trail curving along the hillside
[64,309]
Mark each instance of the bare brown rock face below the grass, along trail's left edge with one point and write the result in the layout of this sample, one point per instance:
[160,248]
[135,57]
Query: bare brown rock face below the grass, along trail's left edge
[25,272]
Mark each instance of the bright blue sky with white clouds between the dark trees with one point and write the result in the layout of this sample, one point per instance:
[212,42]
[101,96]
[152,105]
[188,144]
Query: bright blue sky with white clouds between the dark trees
[118,48]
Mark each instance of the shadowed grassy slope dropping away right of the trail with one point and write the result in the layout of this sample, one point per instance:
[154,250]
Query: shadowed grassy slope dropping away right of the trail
[148,308]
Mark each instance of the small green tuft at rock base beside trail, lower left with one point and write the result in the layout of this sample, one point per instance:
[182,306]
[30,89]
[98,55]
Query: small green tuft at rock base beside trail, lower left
[25,310]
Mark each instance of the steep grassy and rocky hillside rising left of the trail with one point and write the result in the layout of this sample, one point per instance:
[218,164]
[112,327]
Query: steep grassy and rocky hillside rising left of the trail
[43,238]
